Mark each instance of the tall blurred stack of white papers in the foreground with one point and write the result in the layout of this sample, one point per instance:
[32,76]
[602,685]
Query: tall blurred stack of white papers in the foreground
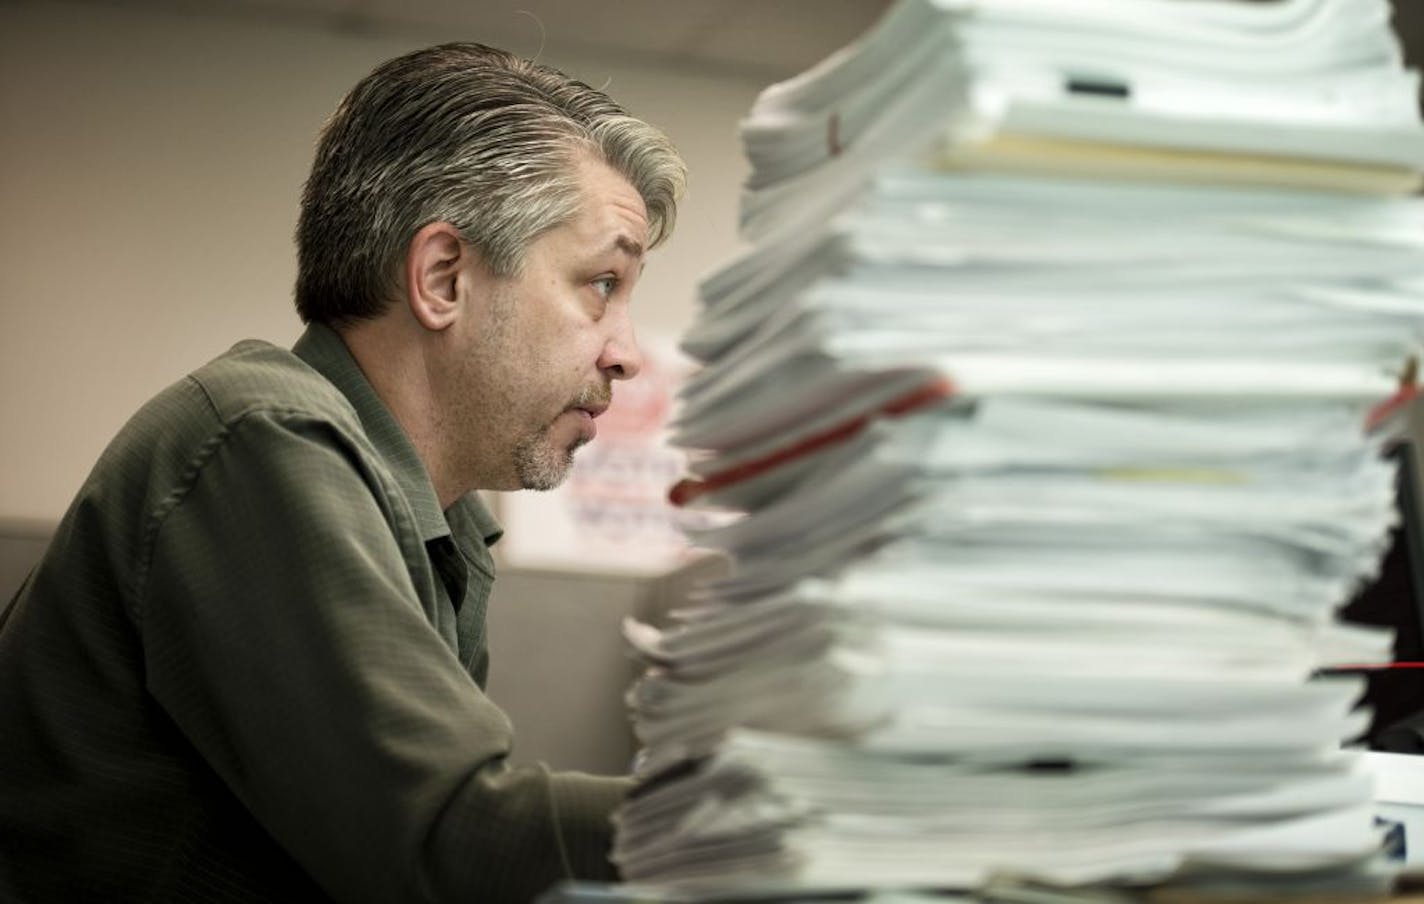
[1045,389]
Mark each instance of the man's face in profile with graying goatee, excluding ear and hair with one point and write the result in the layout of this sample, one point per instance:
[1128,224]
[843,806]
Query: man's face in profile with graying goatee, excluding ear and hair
[540,367]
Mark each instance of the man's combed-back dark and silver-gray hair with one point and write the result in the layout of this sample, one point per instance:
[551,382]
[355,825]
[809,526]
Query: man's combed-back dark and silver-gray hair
[464,135]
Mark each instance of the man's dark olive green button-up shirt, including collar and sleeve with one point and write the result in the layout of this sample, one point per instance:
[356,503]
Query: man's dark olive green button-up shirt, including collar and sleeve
[251,666]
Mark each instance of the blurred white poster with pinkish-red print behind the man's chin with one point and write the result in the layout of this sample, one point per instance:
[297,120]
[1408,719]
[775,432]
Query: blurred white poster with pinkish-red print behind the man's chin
[612,515]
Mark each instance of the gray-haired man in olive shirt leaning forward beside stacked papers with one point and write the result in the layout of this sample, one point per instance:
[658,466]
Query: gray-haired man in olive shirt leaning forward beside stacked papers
[250,667]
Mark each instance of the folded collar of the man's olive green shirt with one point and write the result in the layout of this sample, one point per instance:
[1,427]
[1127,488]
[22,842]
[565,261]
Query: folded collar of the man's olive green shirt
[323,348]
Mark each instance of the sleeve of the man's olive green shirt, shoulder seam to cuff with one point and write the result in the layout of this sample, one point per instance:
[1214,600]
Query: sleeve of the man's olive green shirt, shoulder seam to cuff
[284,637]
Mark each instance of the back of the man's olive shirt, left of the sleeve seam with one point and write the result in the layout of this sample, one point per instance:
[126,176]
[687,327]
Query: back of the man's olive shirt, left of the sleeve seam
[89,754]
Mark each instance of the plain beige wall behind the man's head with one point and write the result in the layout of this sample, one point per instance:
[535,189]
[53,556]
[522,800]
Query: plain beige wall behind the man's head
[150,167]
